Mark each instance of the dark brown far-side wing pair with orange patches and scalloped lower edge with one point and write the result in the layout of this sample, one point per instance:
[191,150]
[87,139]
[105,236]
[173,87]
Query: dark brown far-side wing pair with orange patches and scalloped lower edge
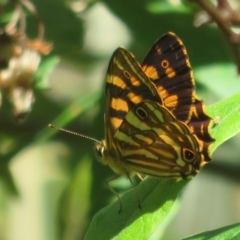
[168,67]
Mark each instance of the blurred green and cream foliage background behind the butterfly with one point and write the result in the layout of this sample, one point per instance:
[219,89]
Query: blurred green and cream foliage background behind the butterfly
[51,185]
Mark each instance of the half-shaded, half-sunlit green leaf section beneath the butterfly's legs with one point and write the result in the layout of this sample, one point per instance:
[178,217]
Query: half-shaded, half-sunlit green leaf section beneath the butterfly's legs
[157,197]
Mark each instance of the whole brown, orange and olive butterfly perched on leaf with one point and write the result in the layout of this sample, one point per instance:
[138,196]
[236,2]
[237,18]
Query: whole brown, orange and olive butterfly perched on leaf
[154,122]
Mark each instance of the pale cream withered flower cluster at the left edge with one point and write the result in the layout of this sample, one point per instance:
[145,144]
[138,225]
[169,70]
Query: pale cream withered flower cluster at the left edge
[17,81]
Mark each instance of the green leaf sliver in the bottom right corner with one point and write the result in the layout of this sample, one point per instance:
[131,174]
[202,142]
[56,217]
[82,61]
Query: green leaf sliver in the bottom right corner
[230,232]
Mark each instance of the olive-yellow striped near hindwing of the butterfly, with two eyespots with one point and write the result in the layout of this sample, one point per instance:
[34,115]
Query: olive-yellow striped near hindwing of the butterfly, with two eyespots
[151,141]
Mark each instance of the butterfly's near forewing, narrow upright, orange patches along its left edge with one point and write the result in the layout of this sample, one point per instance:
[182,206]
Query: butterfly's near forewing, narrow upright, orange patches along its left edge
[126,86]
